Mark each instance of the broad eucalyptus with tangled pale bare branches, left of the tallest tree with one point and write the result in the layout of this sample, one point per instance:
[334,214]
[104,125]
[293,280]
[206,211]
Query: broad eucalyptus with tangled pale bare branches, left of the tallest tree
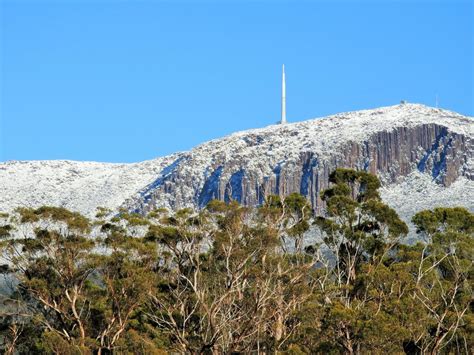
[224,284]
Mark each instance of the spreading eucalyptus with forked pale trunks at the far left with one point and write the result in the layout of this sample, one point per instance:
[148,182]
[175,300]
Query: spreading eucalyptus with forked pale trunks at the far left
[77,292]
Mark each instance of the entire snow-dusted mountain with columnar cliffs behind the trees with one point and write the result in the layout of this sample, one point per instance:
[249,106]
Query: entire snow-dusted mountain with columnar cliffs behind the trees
[423,156]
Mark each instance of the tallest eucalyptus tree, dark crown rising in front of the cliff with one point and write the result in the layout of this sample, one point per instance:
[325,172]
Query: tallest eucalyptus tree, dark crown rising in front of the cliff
[360,231]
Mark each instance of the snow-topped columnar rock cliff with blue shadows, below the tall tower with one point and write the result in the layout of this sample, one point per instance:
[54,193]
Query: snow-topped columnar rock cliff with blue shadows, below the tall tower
[392,142]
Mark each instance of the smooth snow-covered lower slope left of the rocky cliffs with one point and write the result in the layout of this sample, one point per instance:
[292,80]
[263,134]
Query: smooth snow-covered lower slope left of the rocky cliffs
[78,186]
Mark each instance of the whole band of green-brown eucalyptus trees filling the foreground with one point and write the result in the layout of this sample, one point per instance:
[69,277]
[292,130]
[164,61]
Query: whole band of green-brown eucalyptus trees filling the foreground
[230,278]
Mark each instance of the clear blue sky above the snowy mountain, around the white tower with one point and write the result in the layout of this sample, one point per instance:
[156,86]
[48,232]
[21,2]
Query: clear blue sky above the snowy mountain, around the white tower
[126,81]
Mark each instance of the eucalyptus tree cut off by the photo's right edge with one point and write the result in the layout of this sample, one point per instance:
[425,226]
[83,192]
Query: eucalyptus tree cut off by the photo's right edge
[445,279]
